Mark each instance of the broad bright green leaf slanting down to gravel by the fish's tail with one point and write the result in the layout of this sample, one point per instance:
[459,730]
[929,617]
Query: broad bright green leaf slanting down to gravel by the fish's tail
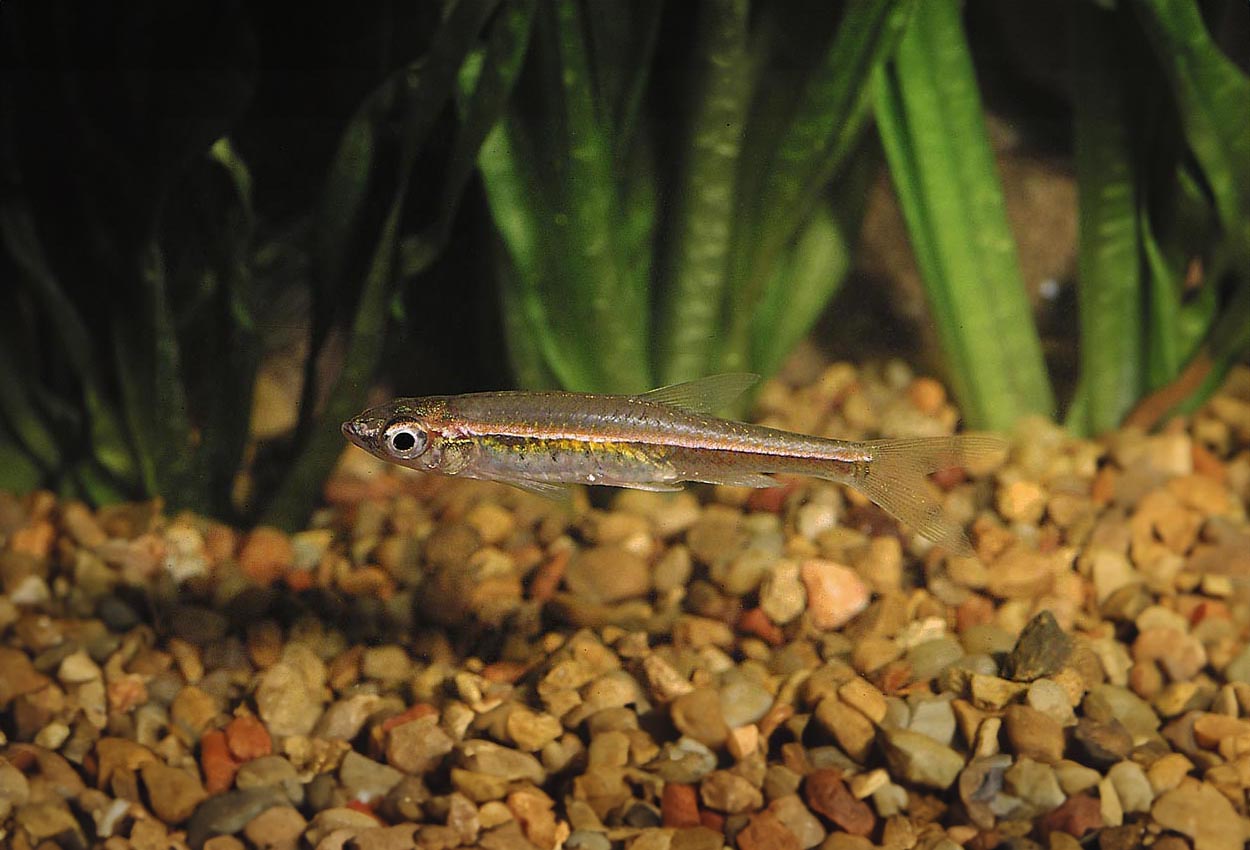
[933,131]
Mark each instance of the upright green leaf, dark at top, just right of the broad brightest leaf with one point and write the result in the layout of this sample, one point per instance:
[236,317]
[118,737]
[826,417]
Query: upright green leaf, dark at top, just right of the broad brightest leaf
[1111,287]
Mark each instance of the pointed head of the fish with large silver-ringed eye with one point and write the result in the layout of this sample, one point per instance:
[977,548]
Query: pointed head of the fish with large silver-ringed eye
[406,432]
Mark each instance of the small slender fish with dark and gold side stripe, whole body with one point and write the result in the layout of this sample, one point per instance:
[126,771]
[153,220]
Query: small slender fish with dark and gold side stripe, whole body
[658,441]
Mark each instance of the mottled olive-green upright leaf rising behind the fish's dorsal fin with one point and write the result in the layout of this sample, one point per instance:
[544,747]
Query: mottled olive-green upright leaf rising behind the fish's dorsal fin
[707,197]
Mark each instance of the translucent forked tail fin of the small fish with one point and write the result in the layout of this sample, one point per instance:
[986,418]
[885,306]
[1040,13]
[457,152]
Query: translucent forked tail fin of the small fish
[896,478]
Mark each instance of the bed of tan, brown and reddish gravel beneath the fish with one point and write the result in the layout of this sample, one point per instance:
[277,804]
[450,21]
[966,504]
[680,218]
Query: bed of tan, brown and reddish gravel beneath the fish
[447,664]
